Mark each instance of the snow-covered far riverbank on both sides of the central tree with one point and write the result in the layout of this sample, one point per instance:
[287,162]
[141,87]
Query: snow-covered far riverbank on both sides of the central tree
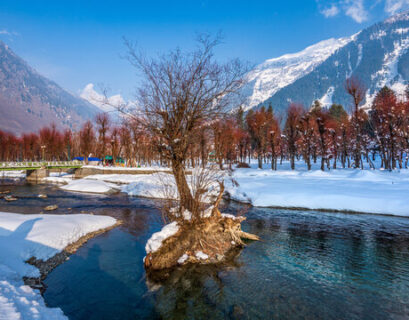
[370,191]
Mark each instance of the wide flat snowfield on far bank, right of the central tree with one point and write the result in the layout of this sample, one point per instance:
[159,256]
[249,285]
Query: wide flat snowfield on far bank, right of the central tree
[370,191]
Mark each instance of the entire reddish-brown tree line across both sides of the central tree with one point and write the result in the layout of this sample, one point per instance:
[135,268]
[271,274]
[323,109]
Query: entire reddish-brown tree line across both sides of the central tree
[331,136]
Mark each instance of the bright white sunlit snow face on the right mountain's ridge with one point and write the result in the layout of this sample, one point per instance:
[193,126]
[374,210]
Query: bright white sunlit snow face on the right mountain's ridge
[274,74]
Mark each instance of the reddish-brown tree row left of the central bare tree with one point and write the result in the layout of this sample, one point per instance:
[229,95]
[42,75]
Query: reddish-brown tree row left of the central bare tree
[96,138]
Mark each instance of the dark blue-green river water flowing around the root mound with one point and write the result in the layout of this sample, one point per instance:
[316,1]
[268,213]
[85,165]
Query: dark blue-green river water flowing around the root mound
[309,265]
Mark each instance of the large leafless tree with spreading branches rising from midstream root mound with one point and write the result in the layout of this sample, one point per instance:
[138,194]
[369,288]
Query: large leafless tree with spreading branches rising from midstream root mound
[180,92]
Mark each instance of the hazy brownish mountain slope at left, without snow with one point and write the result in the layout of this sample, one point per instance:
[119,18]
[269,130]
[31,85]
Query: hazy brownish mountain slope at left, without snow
[29,101]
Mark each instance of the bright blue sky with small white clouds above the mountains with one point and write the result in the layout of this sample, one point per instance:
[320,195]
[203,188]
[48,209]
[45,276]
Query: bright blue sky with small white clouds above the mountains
[80,42]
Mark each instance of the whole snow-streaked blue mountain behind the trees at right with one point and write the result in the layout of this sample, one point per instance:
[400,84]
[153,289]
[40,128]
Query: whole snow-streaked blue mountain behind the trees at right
[377,55]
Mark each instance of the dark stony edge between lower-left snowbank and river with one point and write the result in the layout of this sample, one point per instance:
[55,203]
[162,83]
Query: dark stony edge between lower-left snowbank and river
[45,267]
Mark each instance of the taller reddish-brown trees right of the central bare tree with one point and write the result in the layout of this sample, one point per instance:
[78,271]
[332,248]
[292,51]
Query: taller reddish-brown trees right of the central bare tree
[331,135]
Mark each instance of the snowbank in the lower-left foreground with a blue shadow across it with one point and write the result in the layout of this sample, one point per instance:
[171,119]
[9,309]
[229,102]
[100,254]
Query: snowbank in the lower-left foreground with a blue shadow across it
[40,236]
